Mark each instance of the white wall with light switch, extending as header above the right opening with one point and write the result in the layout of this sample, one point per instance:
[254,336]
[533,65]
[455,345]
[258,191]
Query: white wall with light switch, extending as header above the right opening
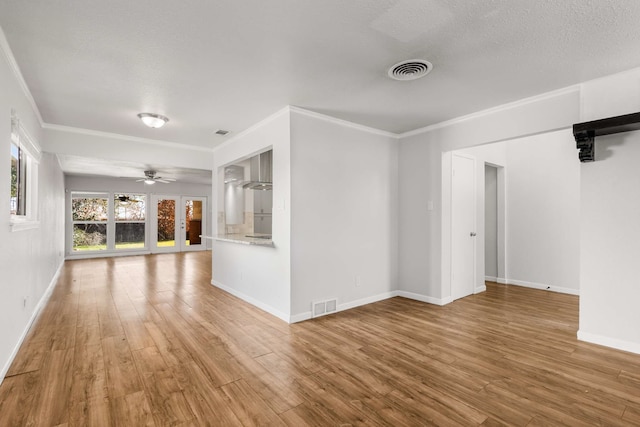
[423,245]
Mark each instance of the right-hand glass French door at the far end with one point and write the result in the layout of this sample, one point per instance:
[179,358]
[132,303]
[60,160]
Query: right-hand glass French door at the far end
[192,223]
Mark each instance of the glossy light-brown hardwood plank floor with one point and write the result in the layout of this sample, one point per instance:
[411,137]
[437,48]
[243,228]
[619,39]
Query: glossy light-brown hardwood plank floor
[147,340]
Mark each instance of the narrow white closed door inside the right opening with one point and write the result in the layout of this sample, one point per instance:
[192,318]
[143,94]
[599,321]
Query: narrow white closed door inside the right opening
[463,226]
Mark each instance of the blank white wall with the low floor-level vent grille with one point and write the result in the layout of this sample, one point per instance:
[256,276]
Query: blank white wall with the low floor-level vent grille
[344,213]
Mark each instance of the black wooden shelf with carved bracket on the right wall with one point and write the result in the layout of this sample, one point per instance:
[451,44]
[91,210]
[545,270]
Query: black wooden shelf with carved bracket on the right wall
[585,133]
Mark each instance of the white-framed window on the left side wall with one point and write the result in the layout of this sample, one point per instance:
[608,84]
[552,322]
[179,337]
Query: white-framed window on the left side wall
[25,155]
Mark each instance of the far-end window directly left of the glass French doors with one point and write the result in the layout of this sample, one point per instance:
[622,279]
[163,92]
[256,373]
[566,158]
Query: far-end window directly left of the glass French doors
[130,216]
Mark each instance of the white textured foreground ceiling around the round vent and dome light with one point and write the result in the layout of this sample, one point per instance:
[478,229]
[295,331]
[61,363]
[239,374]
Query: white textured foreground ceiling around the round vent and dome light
[228,64]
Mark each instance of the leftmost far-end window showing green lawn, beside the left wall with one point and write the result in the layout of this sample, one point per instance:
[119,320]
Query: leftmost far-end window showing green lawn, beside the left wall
[90,215]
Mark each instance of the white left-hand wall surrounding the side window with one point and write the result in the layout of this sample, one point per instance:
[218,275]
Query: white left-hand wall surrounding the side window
[29,259]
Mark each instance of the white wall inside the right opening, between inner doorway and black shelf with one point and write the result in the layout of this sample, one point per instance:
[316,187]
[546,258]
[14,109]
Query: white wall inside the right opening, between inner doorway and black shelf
[543,212]
